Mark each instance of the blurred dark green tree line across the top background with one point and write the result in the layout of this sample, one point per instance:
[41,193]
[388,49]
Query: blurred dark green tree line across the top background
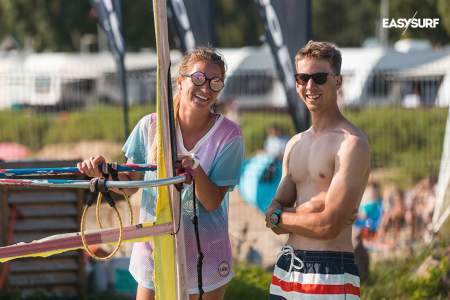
[58,25]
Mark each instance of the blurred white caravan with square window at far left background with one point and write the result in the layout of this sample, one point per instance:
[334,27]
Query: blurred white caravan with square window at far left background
[49,78]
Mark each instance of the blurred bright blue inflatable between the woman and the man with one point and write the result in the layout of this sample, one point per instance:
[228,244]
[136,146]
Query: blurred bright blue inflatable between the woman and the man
[260,176]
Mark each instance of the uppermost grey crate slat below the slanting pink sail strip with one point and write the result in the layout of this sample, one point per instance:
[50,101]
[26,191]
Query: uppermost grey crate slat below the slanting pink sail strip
[45,265]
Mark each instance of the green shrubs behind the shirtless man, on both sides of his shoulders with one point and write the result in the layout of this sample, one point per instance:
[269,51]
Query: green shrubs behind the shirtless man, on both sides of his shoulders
[403,139]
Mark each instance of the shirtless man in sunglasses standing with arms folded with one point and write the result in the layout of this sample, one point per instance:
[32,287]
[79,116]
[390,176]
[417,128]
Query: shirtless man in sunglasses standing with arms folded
[325,171]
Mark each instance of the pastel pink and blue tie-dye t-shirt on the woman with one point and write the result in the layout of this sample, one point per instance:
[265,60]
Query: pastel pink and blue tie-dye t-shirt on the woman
[220,152]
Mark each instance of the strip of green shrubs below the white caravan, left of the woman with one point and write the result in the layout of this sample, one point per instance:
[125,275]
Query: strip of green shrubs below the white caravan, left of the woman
[35,130]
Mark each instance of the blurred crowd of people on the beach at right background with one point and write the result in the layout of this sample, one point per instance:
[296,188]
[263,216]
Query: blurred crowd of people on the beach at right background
[395,217]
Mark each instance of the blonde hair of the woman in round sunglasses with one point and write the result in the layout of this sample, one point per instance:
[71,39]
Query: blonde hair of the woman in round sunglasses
[206,54]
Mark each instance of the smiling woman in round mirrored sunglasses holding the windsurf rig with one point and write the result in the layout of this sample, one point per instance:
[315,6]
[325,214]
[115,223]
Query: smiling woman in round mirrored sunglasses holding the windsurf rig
[211,145]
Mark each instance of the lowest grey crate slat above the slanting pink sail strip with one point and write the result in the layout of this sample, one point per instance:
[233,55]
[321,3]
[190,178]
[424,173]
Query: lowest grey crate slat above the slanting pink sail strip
[41,224]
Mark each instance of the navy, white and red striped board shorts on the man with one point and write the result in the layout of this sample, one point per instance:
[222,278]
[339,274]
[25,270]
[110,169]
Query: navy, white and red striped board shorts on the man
[301,274]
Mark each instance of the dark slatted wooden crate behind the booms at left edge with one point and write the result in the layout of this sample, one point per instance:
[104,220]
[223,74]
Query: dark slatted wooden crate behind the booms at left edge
[41,212]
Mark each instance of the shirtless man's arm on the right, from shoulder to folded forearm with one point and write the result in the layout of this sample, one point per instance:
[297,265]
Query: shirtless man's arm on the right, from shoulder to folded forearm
[343,196]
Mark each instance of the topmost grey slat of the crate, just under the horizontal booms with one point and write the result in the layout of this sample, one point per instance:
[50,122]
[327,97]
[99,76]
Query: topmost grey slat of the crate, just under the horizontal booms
[39,196]
